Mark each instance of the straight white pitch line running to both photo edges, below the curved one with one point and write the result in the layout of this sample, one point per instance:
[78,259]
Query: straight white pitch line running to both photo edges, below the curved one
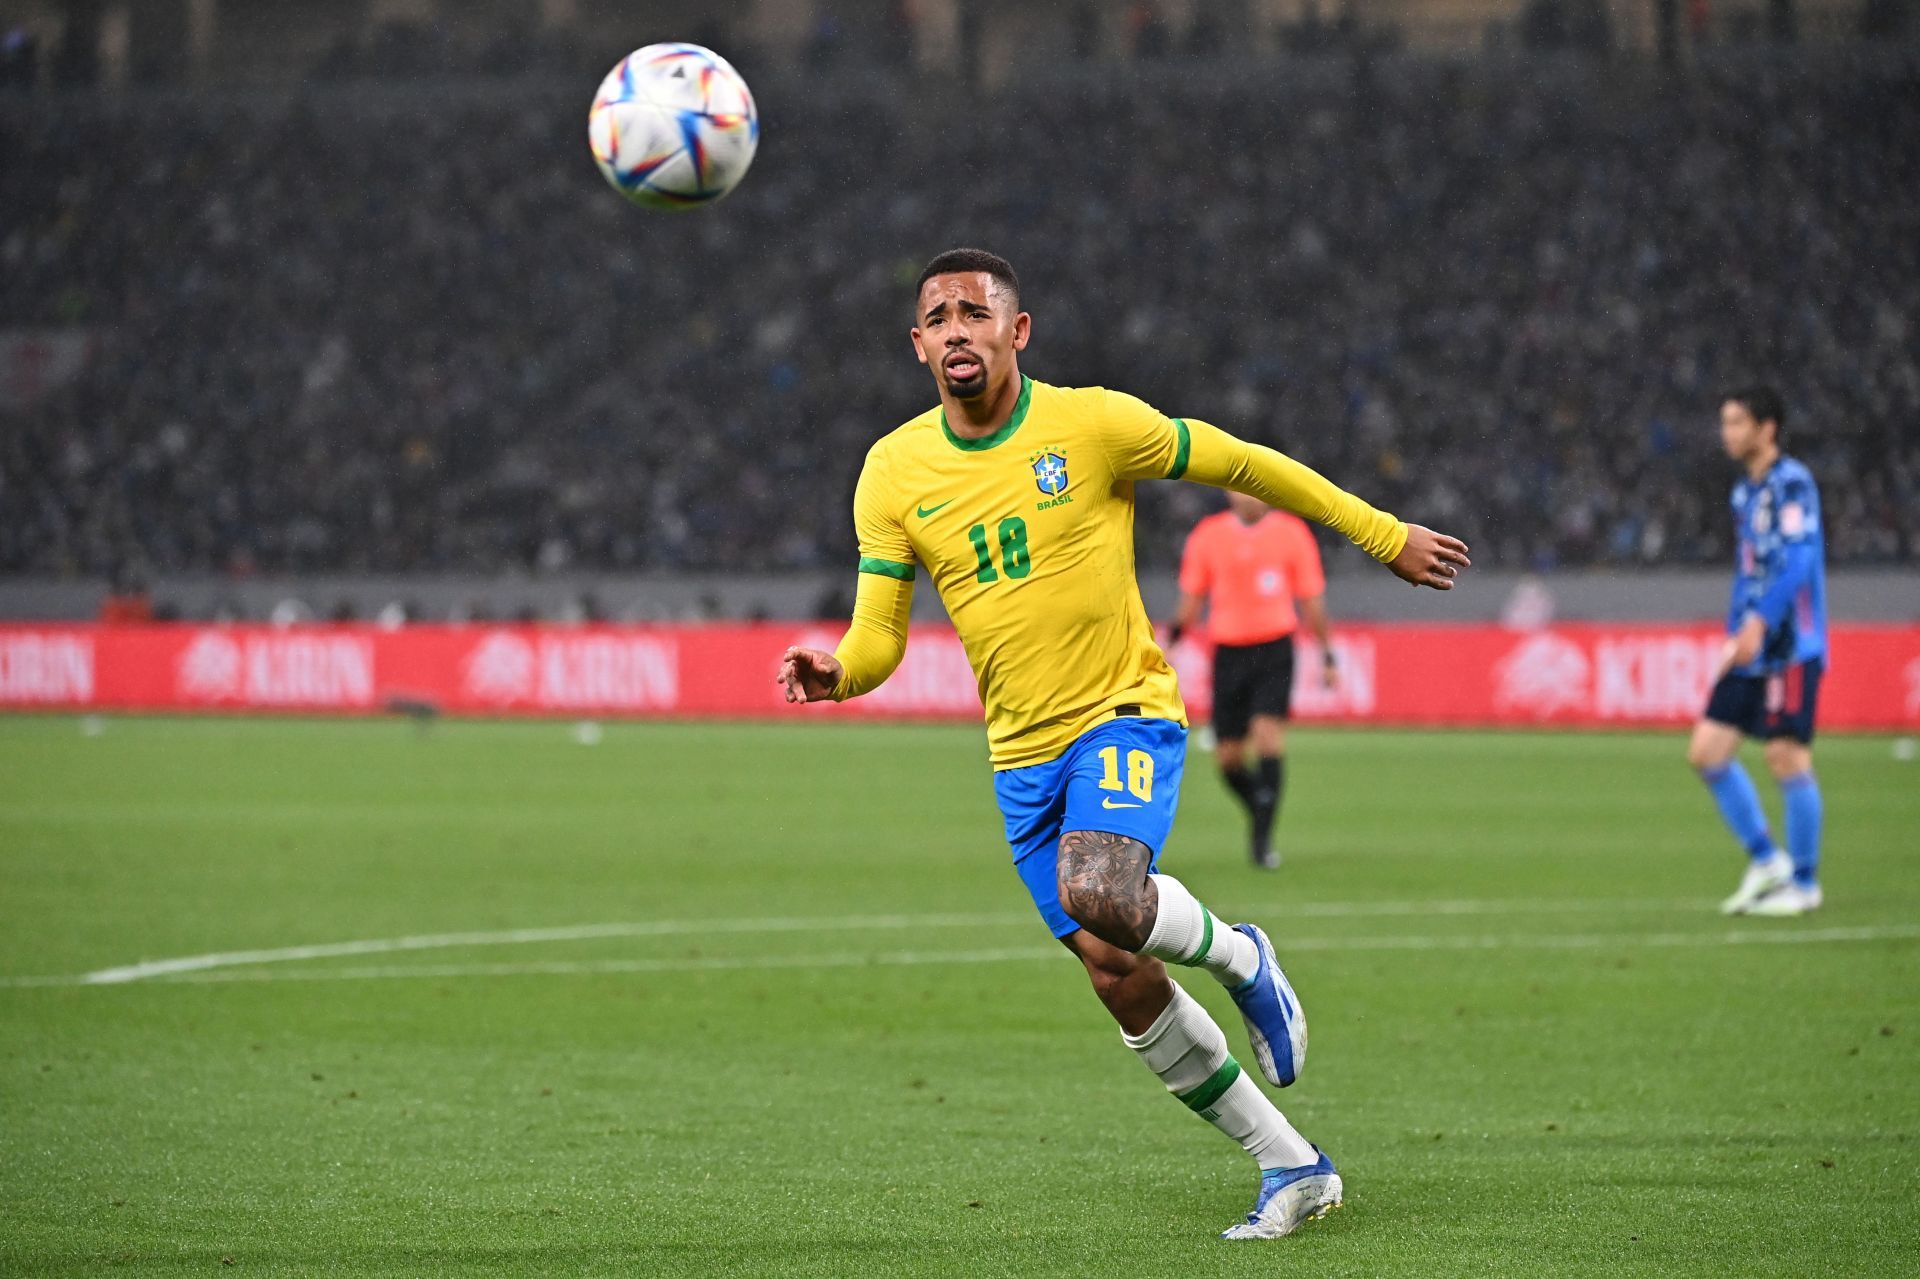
[759,963]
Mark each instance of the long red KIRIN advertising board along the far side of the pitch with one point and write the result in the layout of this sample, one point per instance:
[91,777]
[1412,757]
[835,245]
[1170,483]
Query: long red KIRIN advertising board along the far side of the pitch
[1577,675]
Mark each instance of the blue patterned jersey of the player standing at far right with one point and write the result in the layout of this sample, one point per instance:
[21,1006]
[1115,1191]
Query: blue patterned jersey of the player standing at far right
[1781,567]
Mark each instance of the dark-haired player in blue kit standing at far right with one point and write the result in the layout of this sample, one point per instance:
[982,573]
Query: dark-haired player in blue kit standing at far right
[1775,658]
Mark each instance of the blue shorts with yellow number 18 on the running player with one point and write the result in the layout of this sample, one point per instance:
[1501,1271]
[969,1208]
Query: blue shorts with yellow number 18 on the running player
[1122,777]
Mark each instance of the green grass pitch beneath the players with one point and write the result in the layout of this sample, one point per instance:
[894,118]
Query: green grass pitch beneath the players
[823,1034]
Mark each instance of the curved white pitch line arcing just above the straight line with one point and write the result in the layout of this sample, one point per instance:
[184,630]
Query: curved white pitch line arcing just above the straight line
[786,925]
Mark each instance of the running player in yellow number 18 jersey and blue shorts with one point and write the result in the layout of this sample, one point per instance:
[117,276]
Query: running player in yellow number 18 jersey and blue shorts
[1019,500]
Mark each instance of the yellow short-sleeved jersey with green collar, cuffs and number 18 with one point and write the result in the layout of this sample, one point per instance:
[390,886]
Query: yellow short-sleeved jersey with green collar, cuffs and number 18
[1028,537]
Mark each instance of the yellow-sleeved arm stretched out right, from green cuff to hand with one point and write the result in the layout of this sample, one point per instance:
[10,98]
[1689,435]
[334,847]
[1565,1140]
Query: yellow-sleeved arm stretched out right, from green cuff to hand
[1416,554]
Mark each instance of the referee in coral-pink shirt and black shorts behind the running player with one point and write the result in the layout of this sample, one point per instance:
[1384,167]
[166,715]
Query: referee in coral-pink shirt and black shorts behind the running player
[1257,571]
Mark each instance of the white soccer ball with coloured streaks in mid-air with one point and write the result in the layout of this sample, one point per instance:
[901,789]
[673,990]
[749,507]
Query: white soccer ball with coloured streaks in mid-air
[673,128]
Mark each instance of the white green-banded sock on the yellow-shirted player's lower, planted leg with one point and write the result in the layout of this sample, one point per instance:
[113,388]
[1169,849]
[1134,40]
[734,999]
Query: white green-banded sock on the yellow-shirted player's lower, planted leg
[1189,1053]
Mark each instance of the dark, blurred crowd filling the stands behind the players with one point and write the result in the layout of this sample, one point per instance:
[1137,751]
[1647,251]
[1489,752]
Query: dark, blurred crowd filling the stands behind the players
[366,329]
